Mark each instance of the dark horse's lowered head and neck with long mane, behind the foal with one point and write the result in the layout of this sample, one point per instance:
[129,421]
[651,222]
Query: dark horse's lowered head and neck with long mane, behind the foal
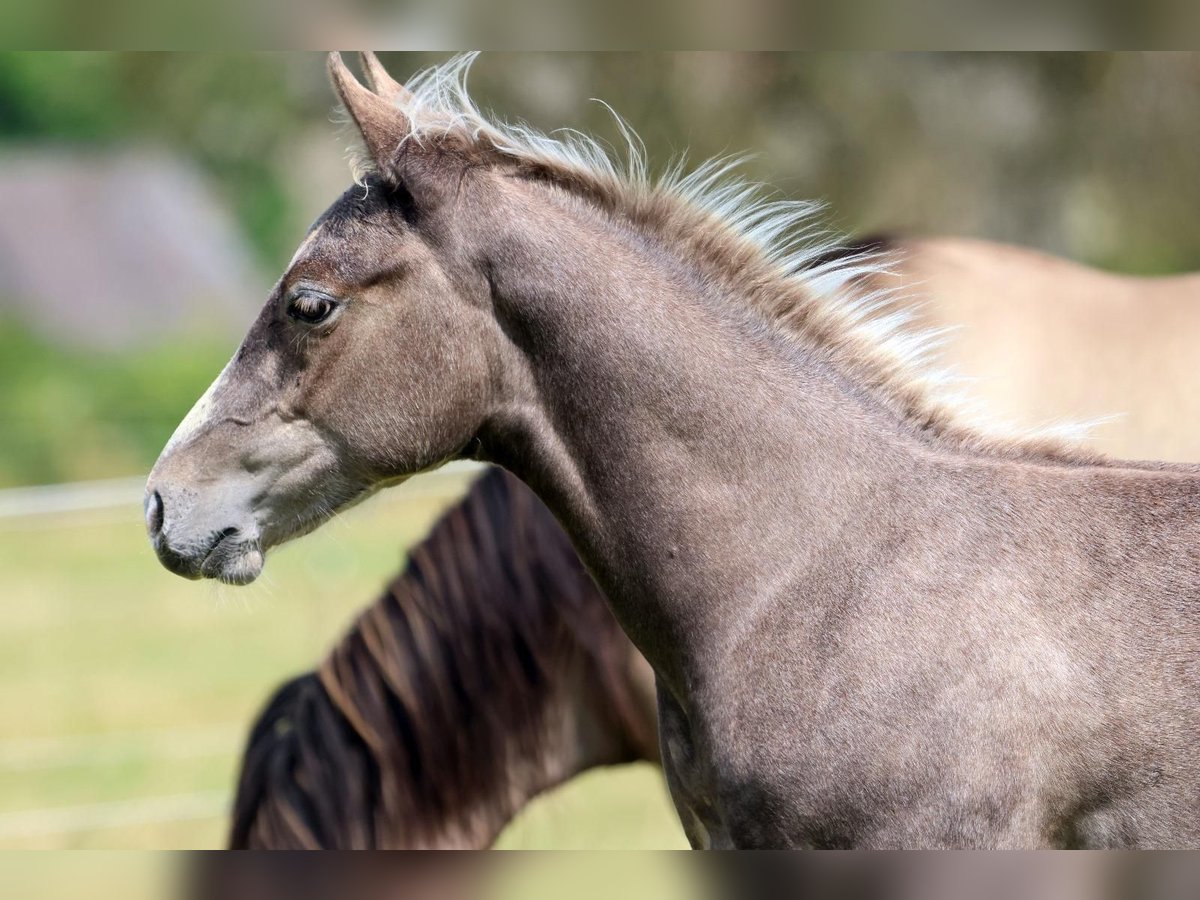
[490,670]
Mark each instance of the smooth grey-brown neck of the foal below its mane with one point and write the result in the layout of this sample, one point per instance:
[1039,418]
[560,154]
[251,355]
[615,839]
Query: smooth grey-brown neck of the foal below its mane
[683,446]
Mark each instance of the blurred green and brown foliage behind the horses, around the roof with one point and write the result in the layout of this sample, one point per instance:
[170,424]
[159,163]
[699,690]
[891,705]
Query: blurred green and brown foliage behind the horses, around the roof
[1087,155]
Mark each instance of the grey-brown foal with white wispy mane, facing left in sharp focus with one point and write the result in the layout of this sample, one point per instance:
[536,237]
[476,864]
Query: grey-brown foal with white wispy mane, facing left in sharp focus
[871,625]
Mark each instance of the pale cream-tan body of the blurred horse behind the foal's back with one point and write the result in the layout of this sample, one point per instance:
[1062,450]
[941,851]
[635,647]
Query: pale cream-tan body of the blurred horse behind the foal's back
[1045,339]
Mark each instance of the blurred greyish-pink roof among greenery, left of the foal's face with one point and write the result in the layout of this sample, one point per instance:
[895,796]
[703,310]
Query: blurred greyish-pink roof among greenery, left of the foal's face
[115,249]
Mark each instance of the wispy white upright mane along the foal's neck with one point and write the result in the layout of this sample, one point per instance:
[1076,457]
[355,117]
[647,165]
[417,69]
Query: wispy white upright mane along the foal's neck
[872,323]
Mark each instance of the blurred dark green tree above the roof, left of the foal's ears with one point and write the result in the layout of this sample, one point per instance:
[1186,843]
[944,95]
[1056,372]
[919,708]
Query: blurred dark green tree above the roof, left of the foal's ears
[232,113]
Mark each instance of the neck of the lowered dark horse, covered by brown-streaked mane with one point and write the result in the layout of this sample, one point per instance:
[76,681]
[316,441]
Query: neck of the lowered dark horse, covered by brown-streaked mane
[485,677]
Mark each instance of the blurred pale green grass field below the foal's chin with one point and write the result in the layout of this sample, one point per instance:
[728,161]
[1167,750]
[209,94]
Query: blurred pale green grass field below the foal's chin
[125,692]
